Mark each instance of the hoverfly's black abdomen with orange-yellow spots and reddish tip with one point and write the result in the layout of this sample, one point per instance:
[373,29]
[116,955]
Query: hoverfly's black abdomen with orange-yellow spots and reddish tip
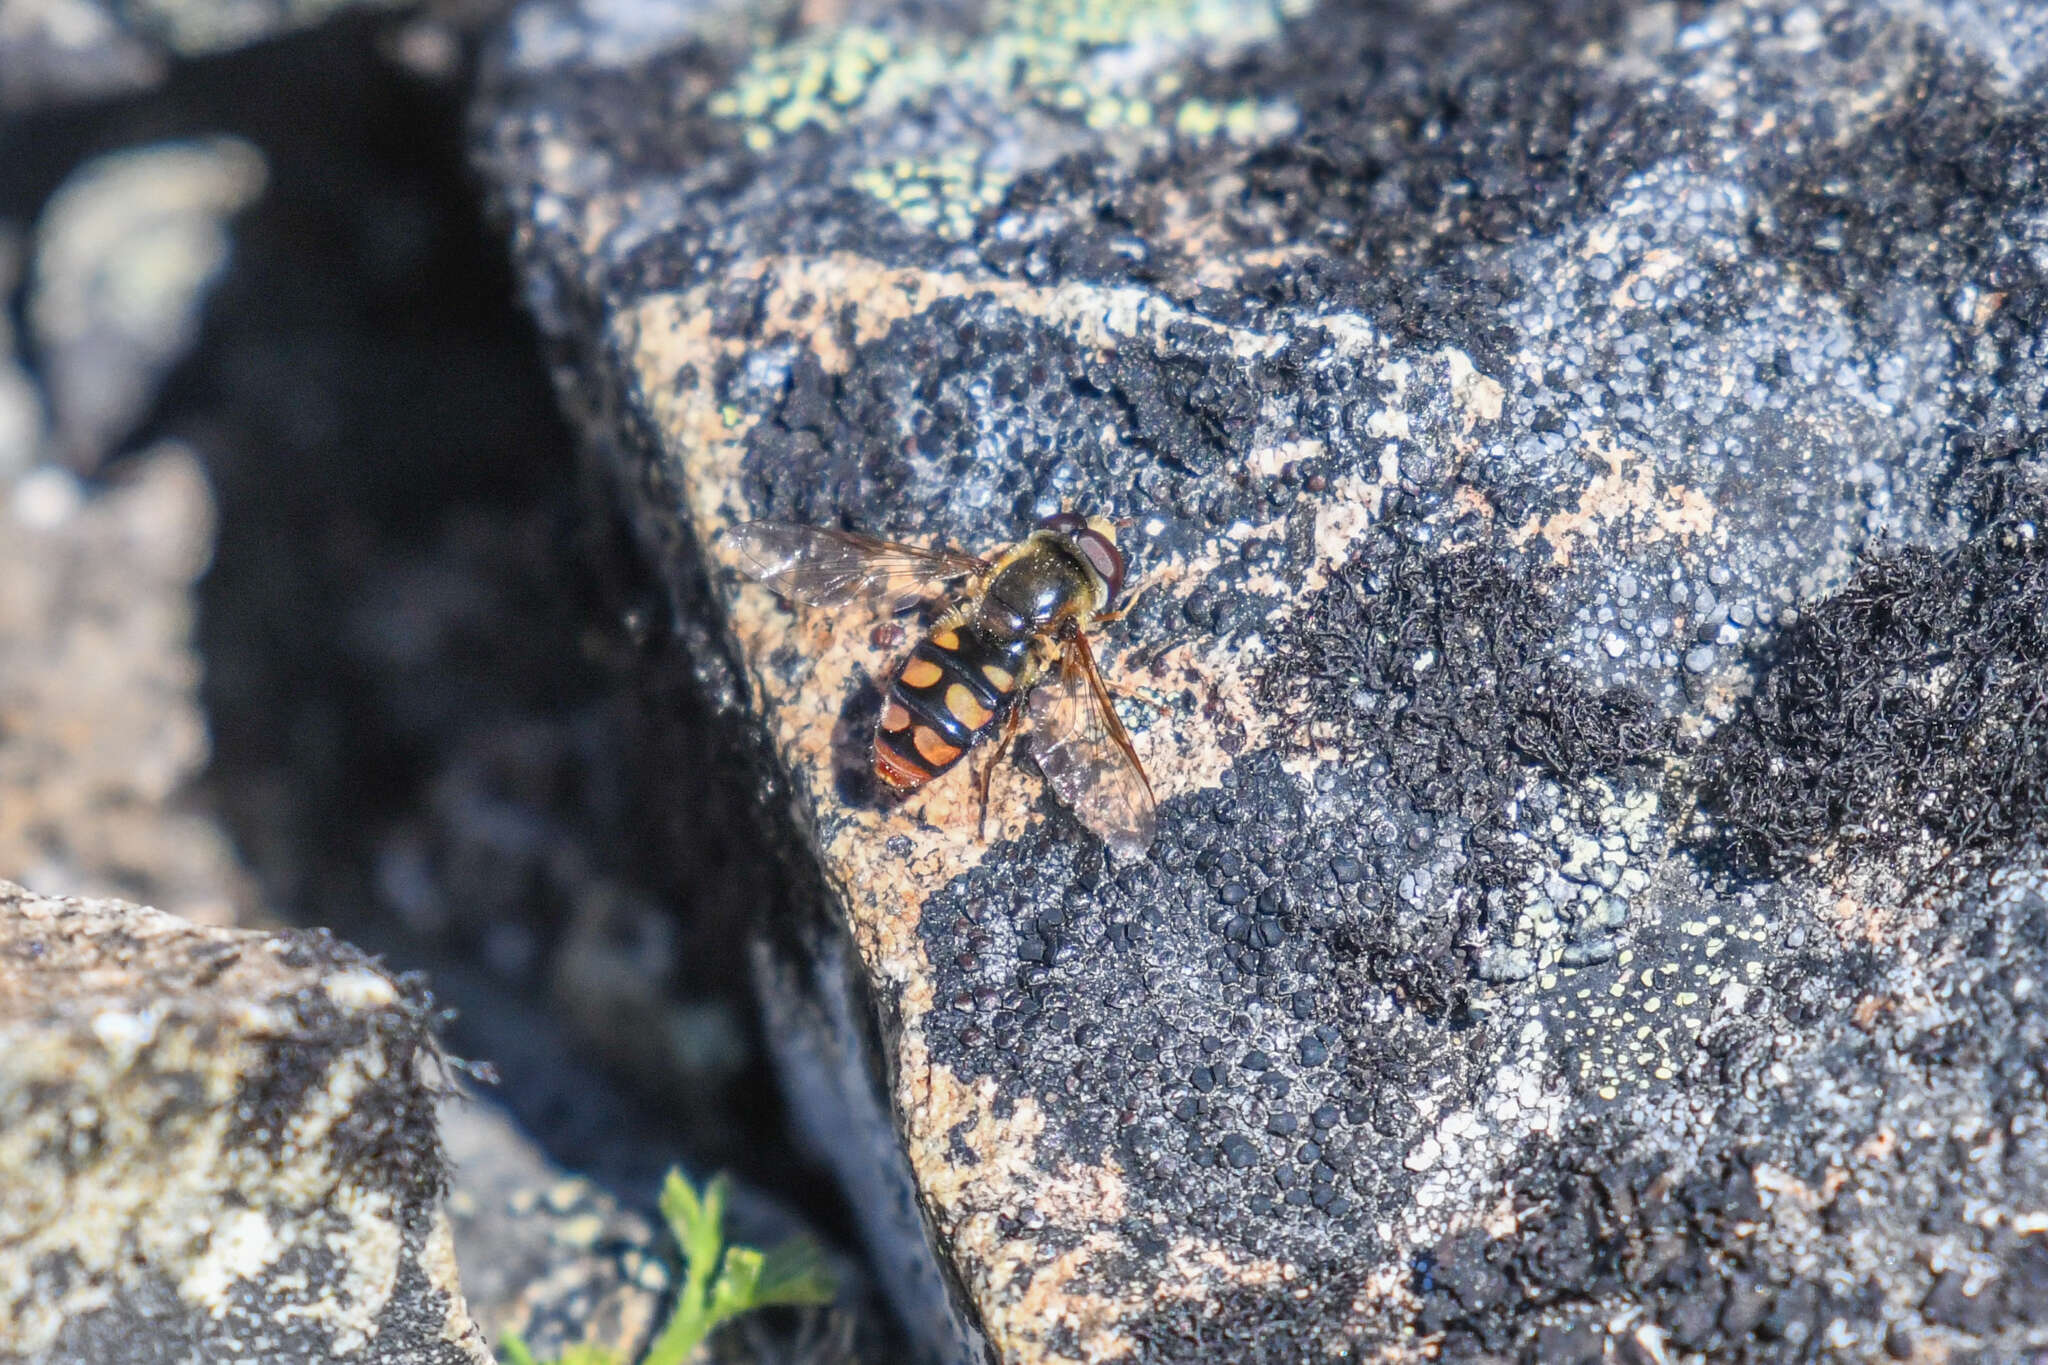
[943,701]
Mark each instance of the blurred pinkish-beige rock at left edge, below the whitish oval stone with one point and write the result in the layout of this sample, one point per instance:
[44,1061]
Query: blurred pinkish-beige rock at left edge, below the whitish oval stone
[101,734]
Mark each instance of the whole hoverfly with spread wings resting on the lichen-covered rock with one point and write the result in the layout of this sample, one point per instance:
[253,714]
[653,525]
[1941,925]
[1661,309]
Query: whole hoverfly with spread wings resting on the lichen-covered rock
[1011,652]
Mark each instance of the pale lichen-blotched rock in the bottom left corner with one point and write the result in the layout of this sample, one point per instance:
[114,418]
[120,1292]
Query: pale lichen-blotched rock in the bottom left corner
[216,1145]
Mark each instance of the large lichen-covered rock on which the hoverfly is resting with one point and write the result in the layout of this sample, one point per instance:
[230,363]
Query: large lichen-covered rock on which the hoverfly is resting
[1406,339]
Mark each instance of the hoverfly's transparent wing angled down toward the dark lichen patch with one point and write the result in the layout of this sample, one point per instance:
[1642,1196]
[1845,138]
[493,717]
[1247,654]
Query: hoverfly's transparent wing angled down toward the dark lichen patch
[1086,756]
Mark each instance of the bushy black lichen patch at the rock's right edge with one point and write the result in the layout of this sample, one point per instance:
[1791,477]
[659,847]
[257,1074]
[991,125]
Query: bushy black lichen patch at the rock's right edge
[1908,715]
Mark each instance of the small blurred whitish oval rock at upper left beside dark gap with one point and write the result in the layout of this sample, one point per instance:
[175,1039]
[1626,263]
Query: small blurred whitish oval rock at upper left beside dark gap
[124,259]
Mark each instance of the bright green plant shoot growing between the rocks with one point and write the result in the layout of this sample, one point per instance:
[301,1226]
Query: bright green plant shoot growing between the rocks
[718,1282]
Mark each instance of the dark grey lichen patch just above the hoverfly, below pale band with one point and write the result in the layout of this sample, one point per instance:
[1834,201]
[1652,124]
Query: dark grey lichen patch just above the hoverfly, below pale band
[910,427]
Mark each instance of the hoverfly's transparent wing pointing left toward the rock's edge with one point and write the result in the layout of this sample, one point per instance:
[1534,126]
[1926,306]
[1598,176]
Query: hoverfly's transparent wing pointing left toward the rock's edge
[833,568]
